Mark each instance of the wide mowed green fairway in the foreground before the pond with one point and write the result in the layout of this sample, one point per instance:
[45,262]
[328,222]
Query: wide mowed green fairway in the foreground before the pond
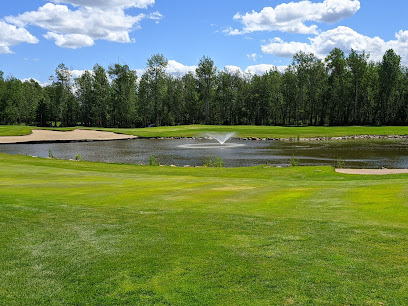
[89,233]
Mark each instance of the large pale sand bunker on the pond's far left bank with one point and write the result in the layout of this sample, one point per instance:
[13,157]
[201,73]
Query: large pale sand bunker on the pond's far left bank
[58,136]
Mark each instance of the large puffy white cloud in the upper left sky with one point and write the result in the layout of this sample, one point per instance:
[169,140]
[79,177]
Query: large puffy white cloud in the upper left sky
[82,26]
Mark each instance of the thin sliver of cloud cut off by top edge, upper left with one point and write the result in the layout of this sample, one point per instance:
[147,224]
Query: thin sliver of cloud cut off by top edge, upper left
[108,4]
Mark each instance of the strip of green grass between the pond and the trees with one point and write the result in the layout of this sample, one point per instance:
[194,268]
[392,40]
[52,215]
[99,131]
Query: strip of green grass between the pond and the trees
[241,131]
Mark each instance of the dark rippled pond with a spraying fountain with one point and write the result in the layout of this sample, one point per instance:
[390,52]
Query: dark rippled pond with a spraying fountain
[180,152]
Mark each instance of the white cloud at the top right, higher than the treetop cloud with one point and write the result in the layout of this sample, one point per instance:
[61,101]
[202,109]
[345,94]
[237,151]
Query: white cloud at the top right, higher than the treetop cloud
[292,17]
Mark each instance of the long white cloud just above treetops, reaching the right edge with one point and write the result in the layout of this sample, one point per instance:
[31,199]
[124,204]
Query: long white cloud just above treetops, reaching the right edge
[343,38]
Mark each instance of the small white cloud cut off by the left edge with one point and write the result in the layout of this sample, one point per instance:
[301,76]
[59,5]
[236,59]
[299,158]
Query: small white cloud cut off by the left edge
[11,35]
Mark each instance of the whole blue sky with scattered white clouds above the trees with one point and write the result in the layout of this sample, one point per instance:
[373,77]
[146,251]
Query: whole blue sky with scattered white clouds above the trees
[251,36]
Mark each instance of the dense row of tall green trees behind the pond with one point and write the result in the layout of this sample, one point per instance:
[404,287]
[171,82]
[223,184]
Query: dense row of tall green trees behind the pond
[339,90]
